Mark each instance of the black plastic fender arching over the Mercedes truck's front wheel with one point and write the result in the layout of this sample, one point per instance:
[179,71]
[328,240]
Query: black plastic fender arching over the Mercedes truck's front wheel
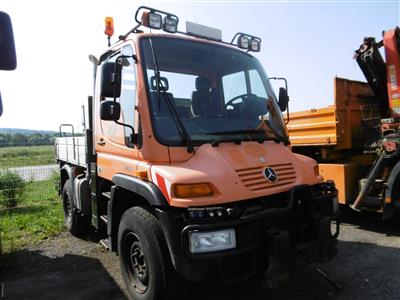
[146,189]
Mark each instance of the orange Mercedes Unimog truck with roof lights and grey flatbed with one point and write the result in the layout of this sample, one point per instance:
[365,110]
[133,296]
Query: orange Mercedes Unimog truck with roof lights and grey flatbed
[186,166]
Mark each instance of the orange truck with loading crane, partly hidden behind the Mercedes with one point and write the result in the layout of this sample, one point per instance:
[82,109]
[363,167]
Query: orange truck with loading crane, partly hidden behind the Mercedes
[357,140]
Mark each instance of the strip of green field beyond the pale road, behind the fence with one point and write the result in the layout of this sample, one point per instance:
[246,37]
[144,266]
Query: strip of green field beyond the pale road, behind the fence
[11,157]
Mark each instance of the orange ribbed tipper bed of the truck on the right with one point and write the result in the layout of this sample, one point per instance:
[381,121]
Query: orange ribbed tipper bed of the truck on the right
[336,125]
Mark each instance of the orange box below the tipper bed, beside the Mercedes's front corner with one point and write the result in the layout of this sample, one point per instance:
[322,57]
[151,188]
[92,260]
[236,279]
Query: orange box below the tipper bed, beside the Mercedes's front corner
[344,176]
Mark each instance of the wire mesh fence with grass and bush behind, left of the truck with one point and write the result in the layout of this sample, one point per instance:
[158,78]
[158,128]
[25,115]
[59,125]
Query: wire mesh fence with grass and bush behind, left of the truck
[30,210]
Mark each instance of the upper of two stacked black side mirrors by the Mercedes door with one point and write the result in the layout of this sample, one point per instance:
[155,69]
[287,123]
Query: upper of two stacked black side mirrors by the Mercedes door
[110,85]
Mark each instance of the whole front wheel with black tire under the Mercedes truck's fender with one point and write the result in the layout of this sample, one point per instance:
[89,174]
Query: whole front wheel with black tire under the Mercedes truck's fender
[144,257]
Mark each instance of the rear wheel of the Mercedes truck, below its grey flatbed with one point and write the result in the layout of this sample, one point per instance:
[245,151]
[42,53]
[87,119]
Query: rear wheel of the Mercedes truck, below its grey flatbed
[76,223]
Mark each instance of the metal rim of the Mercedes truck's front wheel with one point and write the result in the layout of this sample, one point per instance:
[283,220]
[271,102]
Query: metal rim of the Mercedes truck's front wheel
[136,262]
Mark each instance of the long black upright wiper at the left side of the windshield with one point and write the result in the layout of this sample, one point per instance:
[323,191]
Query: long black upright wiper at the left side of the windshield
[160,88]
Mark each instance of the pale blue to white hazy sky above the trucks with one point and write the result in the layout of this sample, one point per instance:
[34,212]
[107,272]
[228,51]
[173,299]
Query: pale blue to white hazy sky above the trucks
[307,42]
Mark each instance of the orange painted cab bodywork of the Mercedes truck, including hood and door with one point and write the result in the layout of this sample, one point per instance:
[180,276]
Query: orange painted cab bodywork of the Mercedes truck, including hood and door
[232,172]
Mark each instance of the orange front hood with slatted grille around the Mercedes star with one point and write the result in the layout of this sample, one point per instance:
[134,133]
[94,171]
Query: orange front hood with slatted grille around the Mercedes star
[235,172]
